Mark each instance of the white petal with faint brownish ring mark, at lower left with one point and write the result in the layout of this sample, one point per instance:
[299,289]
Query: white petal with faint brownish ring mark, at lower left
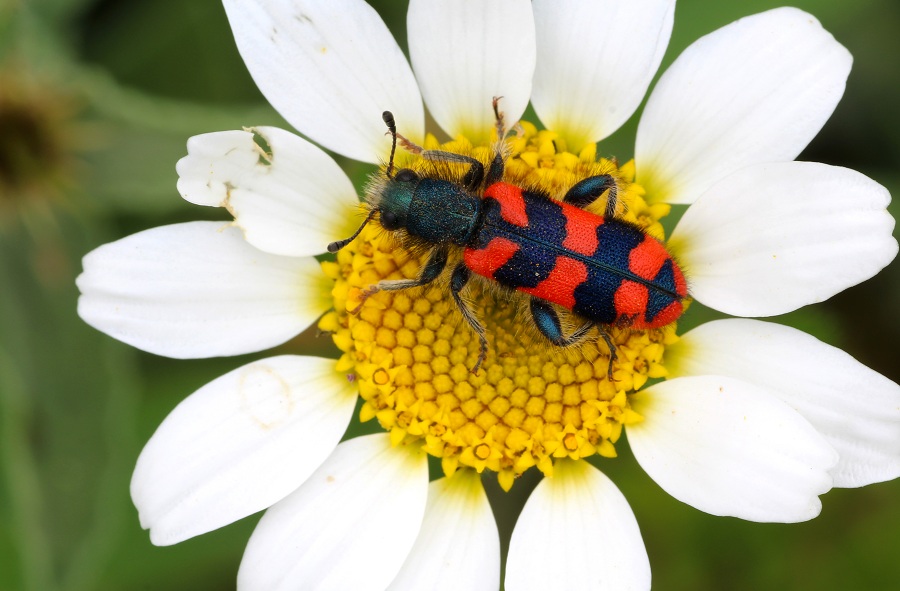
[240,444]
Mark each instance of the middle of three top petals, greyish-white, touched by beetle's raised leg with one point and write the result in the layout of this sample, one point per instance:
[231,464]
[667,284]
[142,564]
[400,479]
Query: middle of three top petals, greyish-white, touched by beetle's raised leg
[464,53]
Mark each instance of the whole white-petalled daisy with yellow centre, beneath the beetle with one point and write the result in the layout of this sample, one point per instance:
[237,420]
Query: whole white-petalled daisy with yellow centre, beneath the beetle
[753,419]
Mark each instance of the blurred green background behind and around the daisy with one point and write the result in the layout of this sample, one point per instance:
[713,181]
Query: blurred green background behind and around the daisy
[97,99]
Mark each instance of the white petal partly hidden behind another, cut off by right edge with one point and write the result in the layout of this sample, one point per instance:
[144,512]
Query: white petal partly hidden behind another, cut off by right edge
[855,408]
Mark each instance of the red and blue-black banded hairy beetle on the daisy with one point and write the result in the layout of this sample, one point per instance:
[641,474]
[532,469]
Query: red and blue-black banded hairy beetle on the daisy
[604,269]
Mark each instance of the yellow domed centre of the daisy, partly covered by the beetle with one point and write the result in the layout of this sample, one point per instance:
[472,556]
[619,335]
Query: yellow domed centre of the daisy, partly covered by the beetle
[411,352]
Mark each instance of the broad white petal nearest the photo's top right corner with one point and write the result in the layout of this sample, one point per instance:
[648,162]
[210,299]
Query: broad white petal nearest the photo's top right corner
[757,90]
